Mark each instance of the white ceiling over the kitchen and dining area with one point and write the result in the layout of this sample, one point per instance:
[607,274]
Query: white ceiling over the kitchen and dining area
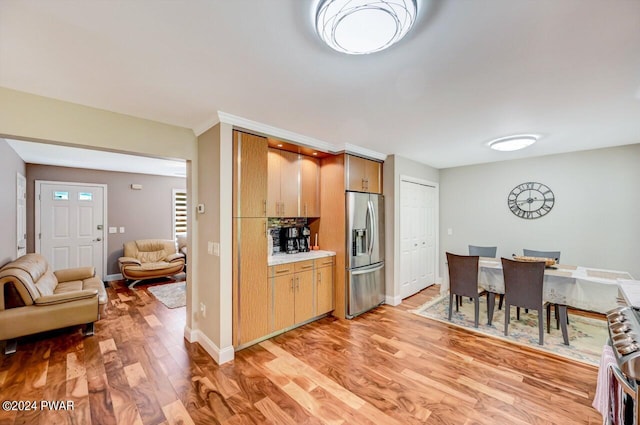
[469,71]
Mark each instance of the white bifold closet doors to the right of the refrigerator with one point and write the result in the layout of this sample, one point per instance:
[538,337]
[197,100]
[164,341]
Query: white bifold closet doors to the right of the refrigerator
[417,237]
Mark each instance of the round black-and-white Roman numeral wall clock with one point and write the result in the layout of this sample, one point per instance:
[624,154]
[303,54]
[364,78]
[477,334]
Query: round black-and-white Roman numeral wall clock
[530,200]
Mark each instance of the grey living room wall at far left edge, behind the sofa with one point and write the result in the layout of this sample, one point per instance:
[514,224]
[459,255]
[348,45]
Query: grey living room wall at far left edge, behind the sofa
[10,165]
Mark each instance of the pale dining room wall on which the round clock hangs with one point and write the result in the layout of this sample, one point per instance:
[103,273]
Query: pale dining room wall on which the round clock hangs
[594,221]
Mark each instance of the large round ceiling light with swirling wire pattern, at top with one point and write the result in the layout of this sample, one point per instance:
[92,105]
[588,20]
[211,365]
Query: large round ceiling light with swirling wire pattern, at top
[359,27]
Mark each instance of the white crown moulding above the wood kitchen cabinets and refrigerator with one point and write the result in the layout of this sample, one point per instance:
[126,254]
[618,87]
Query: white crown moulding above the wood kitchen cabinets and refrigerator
[299,139]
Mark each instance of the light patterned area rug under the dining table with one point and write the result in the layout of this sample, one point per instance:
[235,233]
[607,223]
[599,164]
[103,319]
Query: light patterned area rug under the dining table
[587,335]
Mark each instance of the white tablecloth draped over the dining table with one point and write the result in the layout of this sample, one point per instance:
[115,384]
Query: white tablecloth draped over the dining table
[584,288]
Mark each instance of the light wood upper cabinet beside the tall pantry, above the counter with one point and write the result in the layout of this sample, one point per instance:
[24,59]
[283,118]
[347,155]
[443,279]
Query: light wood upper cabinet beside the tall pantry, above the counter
[282,183]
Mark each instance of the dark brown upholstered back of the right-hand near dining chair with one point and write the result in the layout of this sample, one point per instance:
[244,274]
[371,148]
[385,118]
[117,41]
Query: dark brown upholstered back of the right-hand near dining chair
[523,282]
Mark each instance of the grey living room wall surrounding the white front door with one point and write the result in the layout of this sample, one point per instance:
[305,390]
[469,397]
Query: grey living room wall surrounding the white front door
[145,214]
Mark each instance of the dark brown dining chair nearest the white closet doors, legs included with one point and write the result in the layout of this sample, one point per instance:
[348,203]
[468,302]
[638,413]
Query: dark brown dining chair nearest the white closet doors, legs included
[463,282]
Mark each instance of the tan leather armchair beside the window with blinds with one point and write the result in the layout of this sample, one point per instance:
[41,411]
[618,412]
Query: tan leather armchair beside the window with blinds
[150,259]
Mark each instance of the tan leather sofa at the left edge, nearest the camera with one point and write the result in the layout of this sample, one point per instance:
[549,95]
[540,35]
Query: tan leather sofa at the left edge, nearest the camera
[33,298]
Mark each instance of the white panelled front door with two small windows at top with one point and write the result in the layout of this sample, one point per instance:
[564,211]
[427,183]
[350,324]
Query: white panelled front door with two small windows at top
[70,221]
